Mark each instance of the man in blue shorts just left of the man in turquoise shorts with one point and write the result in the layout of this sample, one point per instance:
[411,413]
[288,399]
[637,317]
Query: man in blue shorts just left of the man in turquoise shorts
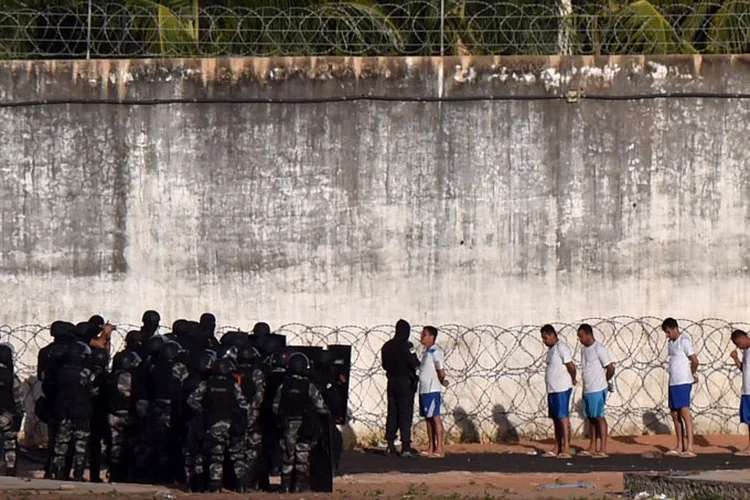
[560,377]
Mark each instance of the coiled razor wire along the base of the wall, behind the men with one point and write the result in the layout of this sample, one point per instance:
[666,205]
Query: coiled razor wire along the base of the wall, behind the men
[497,390]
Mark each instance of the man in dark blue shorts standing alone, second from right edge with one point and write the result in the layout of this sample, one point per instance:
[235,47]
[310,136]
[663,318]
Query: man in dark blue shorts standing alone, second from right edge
[683,364]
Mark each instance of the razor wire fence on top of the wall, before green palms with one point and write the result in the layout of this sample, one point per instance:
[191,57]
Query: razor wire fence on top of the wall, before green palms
[94,29]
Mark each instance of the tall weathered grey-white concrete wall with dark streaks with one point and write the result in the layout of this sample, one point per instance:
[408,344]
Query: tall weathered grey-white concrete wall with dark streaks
[518,210]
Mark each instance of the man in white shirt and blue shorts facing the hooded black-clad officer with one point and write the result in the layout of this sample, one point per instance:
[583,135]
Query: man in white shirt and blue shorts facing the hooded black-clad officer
[431,380]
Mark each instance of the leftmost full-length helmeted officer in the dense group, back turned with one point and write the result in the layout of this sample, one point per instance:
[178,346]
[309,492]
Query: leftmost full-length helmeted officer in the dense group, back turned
[73,406]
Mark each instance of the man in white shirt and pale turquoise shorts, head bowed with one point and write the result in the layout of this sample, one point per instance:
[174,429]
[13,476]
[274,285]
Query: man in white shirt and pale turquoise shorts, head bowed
[597,371]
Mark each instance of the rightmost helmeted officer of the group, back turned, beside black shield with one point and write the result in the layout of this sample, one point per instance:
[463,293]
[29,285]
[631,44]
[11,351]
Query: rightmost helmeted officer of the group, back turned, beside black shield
[298,403]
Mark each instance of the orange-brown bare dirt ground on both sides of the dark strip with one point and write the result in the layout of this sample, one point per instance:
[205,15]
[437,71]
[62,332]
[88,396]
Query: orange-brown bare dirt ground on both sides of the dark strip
[458,484]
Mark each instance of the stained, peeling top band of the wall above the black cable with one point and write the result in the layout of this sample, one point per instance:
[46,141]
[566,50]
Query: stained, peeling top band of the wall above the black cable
[306,78]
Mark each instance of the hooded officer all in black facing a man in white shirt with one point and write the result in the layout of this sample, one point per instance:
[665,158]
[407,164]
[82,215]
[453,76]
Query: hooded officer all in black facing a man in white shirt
[400,363]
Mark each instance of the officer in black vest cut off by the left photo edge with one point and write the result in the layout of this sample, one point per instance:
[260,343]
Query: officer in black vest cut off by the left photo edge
[11,409]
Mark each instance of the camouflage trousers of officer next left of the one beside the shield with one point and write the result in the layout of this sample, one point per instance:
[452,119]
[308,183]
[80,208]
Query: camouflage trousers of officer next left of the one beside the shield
[218,444]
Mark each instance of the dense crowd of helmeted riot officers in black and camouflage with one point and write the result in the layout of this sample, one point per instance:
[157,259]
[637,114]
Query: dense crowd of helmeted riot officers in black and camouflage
[180,407]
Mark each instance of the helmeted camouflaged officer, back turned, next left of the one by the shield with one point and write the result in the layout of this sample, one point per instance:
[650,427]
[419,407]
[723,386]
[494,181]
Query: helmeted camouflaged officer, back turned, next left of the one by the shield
[219,399]
